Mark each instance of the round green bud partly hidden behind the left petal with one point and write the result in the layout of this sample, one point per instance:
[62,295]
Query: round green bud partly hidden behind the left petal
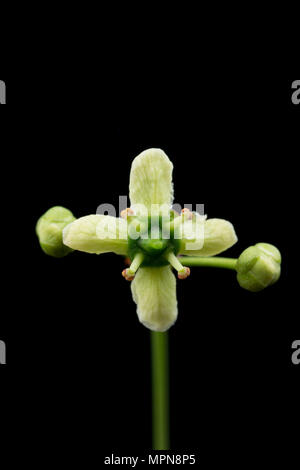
[49,231]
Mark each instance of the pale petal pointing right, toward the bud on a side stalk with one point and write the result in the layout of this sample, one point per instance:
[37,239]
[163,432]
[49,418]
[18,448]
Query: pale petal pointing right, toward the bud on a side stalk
[219,235]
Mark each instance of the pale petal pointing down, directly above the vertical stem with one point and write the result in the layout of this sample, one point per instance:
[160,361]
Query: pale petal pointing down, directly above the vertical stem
[154,292]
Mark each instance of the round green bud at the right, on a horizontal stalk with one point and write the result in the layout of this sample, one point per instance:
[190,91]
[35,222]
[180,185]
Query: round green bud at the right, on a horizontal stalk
[258,267]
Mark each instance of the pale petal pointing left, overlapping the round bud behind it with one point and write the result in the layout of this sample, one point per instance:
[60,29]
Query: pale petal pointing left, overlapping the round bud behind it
[97,234]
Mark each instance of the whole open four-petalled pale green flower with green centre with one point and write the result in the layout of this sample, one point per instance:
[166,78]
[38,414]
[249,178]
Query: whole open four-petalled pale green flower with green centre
[151,234]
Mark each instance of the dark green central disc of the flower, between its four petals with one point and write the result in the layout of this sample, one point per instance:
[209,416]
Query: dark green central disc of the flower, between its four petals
[152,238]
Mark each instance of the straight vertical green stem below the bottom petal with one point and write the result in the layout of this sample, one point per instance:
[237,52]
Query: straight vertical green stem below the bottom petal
[160,390]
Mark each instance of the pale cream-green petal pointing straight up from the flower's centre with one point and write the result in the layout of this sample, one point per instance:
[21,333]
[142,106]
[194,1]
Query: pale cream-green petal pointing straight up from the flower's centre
[151,180]
